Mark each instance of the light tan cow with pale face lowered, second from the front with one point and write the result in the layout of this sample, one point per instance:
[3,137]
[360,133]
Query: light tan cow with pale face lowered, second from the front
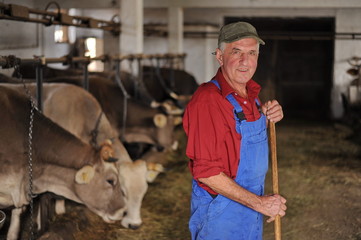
[77,111]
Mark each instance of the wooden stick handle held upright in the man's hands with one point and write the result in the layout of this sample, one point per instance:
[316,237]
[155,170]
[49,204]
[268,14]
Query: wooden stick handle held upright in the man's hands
[273,148]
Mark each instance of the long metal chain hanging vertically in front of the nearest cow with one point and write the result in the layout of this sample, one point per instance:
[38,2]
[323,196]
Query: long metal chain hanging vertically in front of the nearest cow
[30,151]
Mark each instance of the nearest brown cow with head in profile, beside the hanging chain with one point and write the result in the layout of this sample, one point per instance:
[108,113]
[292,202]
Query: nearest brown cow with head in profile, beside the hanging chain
[62,164]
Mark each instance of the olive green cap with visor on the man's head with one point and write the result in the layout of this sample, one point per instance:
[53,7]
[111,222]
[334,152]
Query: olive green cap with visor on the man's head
[238,30]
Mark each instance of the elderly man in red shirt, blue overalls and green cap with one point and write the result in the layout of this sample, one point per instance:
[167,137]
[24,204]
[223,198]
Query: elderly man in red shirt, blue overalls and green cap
[227,144]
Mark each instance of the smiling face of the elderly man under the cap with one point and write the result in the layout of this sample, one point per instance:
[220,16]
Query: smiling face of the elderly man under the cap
[239,60]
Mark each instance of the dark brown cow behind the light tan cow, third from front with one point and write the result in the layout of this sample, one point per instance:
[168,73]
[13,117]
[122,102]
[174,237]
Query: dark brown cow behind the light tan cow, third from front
[143,124]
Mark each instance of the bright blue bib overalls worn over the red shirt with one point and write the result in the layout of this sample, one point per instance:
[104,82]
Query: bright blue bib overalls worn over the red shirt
[222,218]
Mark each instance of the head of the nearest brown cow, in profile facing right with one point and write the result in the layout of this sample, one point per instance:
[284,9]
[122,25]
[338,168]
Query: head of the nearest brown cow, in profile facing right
[99,188]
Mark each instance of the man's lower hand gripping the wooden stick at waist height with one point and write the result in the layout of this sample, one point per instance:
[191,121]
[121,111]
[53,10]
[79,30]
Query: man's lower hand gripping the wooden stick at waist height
[273,205]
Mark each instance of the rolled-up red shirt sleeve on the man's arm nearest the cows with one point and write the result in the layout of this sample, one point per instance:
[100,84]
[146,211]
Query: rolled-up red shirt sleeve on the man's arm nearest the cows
[204,127]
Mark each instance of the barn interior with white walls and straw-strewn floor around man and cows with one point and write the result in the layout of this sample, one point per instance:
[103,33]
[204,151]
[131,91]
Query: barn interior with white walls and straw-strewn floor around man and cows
[311,63]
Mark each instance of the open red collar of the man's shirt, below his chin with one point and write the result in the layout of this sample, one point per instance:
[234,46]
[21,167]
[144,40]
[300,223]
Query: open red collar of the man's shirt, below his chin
[253,88]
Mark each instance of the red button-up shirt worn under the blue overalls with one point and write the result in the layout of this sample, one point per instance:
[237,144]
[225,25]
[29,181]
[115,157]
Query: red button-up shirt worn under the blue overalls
[213,144]
